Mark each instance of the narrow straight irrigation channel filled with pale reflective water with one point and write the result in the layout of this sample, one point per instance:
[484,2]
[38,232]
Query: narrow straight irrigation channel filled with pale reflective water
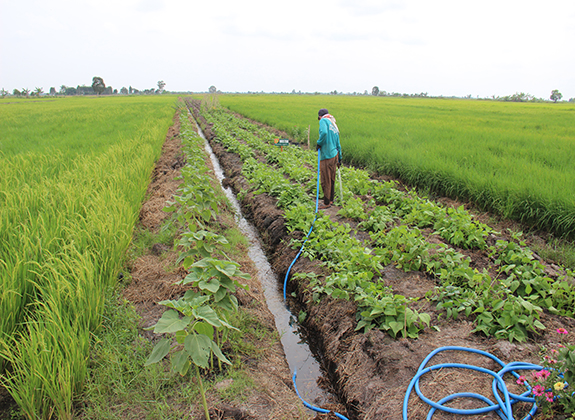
[300,354]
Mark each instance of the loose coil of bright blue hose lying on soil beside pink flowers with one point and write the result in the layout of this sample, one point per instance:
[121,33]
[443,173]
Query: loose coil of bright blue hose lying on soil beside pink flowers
[503,407]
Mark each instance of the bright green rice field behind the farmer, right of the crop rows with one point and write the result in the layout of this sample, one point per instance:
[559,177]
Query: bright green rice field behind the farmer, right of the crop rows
[514,159]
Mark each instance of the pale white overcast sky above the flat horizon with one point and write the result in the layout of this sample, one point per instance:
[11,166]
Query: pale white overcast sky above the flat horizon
[442,47]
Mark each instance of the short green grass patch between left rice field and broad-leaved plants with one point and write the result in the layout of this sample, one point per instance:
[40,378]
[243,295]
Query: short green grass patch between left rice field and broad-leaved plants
[118,384]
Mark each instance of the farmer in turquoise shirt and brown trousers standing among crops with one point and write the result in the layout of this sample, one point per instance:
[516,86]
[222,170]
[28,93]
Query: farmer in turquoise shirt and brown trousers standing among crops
[330,155]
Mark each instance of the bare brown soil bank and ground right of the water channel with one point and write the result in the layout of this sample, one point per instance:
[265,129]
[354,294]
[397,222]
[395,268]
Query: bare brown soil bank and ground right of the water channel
[372,371]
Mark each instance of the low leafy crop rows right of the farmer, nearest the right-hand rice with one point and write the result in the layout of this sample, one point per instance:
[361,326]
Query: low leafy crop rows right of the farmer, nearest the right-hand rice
[522,287]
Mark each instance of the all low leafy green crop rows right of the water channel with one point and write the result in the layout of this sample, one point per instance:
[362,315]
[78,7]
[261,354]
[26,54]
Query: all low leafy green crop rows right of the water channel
[507,306]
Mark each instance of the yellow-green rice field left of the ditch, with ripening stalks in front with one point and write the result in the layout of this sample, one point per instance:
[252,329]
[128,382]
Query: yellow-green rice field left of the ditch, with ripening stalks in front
[73,175]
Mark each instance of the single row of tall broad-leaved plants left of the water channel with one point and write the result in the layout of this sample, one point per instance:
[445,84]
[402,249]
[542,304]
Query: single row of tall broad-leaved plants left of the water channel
[199,321]
